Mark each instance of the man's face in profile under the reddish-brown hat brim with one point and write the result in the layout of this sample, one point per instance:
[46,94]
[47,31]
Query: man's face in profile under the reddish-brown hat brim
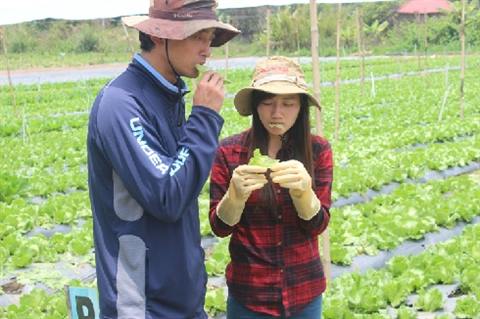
[194,50]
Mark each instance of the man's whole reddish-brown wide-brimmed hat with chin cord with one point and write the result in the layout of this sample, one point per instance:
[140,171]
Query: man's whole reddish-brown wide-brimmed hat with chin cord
[179,19]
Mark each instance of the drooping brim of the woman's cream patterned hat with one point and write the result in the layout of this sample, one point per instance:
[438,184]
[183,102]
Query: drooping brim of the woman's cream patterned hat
[243,98]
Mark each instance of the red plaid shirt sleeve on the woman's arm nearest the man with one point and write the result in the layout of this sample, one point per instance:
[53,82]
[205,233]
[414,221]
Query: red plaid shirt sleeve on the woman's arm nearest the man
[219,182]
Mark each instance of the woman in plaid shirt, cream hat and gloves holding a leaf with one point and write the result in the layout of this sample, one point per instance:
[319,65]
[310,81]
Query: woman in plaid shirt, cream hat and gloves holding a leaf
[274,215]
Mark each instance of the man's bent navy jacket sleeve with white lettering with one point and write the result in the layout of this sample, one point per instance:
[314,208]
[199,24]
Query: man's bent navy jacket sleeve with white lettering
[164,185]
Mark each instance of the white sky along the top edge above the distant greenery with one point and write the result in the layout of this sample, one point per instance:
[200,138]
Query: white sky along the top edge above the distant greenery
[16,11]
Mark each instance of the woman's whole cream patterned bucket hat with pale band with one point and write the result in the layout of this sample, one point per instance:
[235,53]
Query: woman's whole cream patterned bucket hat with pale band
[276,75]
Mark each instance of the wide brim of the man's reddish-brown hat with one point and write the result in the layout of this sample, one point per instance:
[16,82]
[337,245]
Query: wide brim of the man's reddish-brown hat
[180,30]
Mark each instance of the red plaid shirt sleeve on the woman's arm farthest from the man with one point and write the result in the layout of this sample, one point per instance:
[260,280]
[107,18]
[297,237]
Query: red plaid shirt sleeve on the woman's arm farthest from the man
[323,170]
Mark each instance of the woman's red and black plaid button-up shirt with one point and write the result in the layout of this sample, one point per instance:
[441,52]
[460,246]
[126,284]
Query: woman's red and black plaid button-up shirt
[275,266]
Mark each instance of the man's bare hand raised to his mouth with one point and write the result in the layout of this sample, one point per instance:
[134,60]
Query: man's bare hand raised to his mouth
[210,91]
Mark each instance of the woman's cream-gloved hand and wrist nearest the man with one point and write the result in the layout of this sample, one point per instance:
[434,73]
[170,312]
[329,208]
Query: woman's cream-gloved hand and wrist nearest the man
[245,179]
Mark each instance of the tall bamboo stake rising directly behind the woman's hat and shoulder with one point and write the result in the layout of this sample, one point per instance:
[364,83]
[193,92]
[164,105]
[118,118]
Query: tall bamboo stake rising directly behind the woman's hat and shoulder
[315,64]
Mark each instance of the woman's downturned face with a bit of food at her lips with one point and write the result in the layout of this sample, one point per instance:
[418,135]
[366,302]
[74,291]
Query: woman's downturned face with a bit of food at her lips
[279,112]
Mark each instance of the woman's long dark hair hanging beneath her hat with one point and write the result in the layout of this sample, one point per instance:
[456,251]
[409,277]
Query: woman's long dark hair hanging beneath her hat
[296,143]
